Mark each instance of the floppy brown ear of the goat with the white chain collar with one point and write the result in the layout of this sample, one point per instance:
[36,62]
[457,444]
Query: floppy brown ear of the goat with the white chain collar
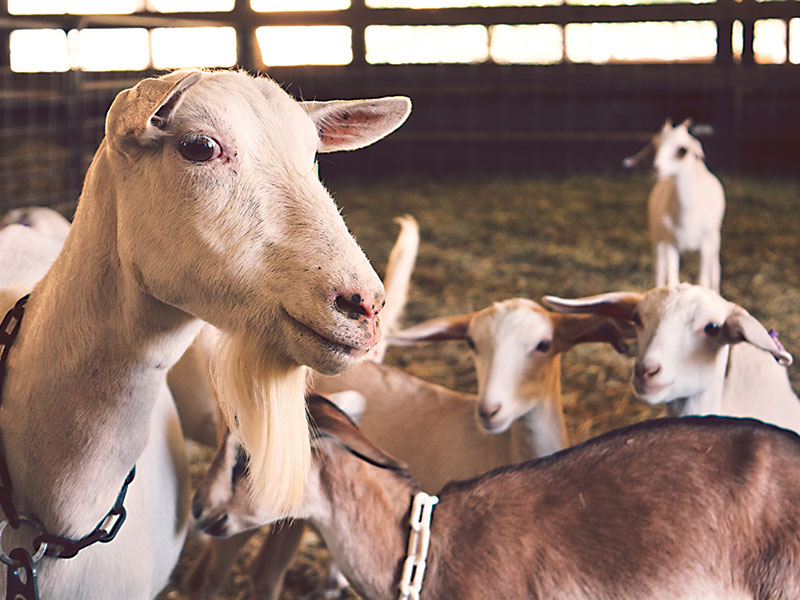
[330,421]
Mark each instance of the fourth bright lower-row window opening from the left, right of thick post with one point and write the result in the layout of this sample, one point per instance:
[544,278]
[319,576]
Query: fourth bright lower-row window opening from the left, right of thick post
[313,45]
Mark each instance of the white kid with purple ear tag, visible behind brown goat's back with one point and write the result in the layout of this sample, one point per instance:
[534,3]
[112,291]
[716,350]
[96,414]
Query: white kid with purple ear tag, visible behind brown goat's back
[691,354]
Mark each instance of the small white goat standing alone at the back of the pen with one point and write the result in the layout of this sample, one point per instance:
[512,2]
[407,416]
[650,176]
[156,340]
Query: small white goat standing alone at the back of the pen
[685,207]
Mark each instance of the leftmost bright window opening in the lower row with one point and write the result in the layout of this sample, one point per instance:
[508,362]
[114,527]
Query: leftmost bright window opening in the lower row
[36,50]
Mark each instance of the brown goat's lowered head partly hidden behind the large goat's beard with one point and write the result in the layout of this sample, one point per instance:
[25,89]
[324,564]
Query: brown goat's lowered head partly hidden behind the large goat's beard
[223,505]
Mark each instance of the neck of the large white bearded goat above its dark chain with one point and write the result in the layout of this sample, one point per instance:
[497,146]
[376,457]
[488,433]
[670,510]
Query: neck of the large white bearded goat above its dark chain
[95,428]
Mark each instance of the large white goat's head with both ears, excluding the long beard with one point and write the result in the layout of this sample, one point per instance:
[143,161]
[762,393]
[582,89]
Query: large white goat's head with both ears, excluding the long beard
[217,171]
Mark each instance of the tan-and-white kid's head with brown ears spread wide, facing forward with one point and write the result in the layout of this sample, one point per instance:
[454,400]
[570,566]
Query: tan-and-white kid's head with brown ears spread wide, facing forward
[516,346]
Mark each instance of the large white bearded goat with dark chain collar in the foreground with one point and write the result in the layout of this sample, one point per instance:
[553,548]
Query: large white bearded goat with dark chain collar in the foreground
[202,202]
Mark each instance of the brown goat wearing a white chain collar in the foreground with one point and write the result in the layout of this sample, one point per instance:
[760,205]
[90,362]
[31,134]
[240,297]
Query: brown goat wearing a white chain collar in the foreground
[702,507]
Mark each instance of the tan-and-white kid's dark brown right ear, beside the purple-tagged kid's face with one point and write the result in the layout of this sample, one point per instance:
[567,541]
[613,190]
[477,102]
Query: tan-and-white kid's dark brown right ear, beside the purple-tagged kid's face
[571,330]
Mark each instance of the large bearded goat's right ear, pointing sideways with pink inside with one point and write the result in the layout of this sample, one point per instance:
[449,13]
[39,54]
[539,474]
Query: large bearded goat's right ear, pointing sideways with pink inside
[352,124]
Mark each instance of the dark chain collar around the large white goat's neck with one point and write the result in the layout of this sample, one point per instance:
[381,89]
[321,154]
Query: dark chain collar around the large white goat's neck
[46,544]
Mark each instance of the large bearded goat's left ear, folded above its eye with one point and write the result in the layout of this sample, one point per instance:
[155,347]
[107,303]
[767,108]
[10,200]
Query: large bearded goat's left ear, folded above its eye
[140,112]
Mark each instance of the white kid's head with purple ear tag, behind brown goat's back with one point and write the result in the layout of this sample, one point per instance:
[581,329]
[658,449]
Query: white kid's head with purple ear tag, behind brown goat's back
[684,333]
